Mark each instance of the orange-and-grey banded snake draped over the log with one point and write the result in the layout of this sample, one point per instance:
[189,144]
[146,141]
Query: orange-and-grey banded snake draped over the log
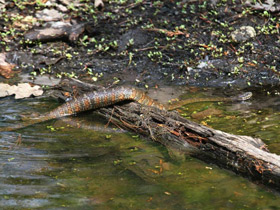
[103,98]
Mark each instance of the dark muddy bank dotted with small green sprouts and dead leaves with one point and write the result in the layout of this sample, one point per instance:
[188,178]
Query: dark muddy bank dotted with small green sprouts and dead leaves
[145,43]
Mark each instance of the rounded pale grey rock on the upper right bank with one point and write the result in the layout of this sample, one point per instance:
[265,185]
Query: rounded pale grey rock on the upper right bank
[243,34]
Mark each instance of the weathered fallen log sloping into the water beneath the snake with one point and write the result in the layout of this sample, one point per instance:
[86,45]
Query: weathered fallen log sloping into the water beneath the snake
[244,155]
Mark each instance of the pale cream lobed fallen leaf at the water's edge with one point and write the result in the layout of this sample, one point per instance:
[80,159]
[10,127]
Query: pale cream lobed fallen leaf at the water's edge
[22,90]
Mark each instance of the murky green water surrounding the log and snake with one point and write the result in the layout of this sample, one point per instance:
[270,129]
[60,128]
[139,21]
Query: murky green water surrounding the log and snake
[72,168]
